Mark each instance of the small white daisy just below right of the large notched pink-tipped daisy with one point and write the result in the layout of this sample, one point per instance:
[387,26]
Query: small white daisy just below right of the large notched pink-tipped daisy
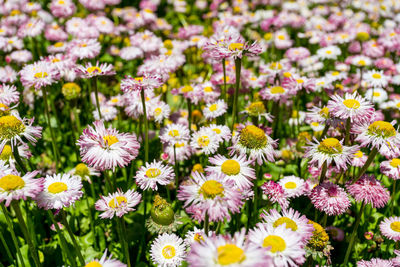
[150,175]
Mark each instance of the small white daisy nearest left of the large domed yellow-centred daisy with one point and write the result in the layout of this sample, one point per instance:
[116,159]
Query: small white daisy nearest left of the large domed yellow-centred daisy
[205,140]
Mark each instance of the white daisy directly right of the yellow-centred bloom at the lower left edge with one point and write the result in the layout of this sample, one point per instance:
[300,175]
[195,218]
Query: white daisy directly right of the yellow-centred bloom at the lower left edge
[60,190]
